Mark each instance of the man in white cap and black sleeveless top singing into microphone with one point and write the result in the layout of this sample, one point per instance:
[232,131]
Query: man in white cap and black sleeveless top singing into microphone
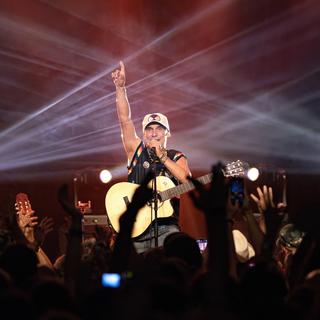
[147,154]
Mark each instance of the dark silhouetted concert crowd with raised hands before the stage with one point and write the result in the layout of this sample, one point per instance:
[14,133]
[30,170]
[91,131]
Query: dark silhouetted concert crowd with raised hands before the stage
[279,278]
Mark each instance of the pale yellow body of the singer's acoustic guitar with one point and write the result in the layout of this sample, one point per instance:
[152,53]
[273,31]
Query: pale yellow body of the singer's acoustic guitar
[120,195]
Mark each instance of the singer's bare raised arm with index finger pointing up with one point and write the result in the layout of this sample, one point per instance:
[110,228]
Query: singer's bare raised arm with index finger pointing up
[129,136]
